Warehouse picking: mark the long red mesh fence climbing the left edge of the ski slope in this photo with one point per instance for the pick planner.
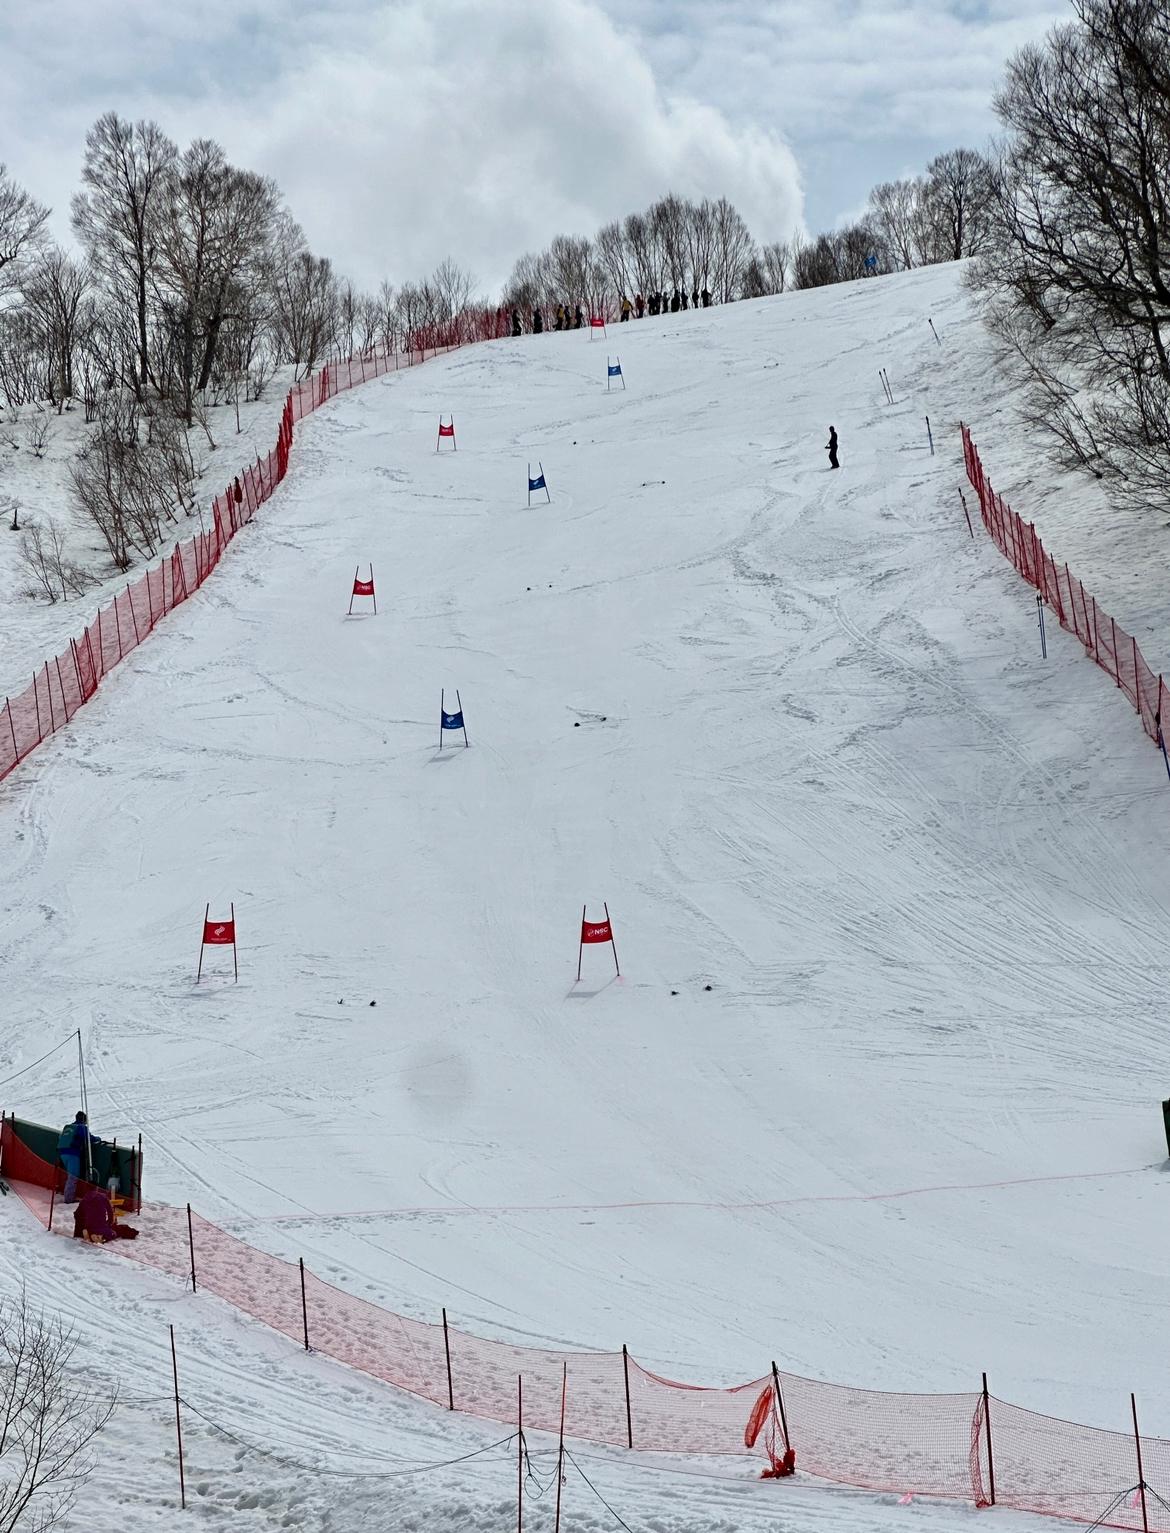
(68, 681)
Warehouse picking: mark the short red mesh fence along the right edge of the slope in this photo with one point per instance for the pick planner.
(1114, 651)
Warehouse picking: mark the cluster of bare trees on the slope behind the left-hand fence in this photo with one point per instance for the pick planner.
(192, 283)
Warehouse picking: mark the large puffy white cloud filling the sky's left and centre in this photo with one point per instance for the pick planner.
(401, 131)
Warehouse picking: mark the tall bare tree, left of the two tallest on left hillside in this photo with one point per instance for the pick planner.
(117, 218)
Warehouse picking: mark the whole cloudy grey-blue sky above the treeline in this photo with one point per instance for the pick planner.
(406, 131)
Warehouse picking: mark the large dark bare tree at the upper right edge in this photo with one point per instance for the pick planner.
(1079, 271)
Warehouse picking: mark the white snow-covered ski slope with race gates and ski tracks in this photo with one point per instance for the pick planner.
(878, 1091)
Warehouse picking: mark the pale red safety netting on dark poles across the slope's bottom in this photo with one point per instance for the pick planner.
(965, 1446)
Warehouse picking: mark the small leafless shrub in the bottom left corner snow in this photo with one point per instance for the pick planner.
(50, 1419)
